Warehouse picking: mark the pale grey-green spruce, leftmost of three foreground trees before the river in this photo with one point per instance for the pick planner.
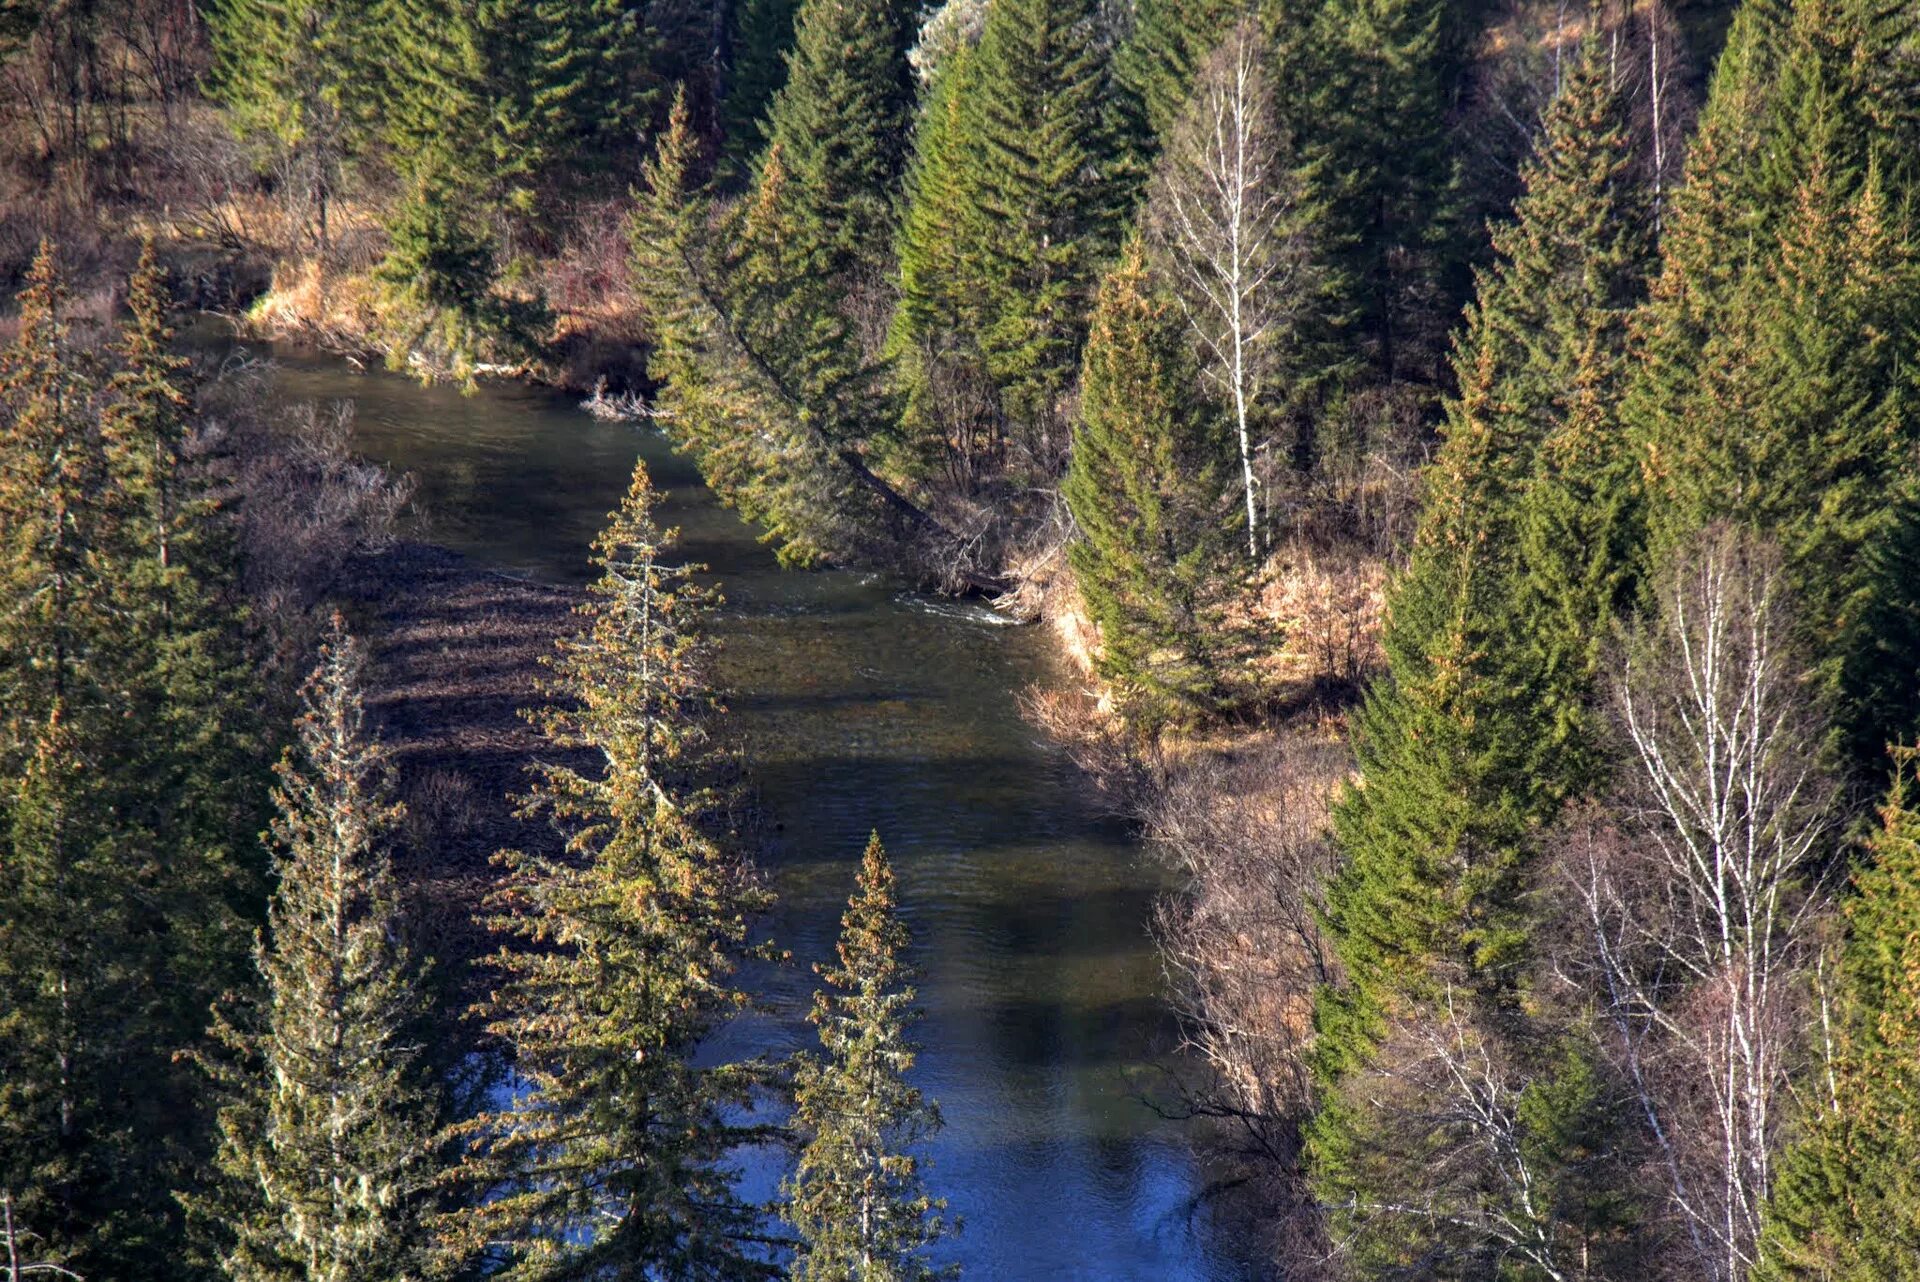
(329, 1139)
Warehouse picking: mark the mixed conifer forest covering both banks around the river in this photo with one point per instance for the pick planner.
(1466, 456)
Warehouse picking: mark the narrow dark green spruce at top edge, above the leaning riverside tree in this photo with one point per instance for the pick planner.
(840, 128)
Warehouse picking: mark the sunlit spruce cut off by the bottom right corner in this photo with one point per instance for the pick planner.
(1846, 1206)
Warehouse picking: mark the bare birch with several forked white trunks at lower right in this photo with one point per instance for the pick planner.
(1696, 890)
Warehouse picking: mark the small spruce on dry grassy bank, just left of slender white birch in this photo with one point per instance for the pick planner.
(1155, 559)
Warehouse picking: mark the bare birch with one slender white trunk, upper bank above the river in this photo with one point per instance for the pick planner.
(1226, 212)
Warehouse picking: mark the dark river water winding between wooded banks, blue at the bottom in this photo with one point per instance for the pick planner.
(869, 707)
